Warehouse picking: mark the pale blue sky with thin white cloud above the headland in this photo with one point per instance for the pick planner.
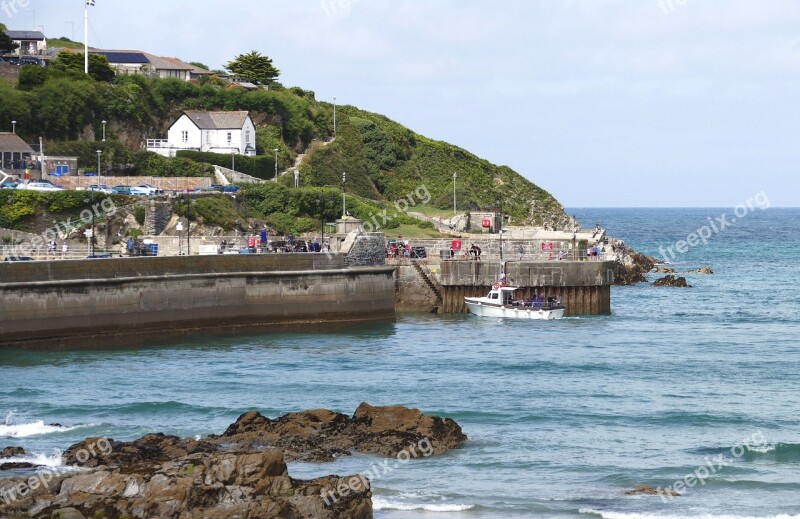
(604, 103)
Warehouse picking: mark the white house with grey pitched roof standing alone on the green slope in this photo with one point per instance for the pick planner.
(216, 132)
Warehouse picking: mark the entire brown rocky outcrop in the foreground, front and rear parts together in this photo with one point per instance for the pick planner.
(241, 473)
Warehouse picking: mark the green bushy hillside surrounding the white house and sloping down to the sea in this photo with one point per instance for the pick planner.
(383, 160)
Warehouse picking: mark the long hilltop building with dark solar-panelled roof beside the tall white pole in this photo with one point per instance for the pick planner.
(135, 62)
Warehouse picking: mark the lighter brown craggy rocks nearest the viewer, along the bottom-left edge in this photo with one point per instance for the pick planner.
(200, 485)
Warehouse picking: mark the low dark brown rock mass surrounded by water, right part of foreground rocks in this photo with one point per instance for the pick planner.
(322, 435)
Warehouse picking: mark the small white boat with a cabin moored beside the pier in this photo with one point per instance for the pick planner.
(501, 303)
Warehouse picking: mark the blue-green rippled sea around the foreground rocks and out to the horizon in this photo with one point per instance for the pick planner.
(690, 389)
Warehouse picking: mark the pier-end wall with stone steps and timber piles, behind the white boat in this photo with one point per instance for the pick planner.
(584, 286)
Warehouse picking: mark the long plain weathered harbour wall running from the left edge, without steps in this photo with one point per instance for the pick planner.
(133, 301)
